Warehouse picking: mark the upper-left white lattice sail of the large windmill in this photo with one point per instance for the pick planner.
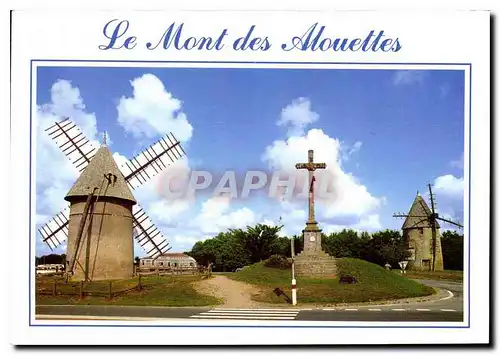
(72, 142)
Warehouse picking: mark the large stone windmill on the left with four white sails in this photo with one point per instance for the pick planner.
(103, 216)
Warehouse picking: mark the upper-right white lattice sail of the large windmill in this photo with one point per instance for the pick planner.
(152, 161)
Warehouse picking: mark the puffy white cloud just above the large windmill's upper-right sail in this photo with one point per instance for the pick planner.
(152, 110)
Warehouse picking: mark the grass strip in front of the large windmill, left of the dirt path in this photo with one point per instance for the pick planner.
(156, 291)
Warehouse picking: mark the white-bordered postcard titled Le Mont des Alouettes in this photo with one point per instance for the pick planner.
(250, 177)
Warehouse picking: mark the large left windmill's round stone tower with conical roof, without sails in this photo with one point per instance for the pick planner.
(100, 239)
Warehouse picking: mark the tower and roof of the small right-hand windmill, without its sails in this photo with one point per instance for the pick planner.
(417, 231)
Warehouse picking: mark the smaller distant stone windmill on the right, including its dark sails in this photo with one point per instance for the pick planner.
(421, 231)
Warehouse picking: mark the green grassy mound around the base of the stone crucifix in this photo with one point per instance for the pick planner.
(374, 283)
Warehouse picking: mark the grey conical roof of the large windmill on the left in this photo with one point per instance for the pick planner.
(95, 174)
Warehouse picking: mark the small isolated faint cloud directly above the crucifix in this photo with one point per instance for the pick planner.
(297, 116)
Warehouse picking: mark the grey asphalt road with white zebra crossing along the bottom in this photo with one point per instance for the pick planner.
(448, 308)
